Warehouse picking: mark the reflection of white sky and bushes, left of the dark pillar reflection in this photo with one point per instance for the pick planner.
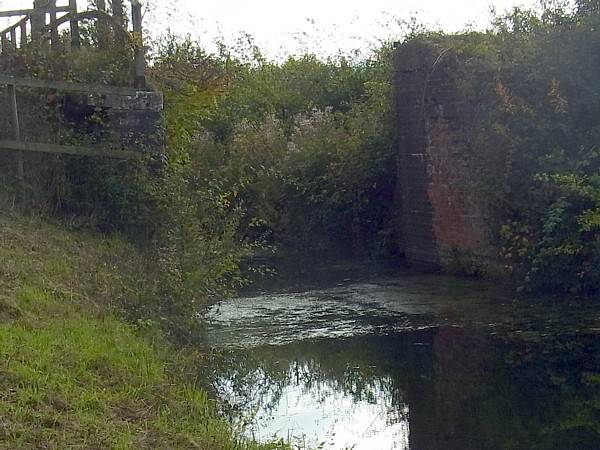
(333, 393)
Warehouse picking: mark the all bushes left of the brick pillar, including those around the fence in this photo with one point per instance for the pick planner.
(260, 156)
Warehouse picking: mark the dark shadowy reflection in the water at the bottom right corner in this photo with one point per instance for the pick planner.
(520, 391)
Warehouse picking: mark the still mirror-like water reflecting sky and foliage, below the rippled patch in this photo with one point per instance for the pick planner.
(444, 388)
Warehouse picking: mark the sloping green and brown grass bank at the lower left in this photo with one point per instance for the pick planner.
(72, 373)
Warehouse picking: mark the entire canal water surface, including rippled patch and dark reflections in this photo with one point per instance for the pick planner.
(409, 362)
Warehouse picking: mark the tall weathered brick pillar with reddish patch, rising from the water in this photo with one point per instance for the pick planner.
(441, 221)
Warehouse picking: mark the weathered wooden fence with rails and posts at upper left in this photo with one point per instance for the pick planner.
(42, 24)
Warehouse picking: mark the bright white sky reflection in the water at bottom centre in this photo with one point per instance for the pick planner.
(323, 413)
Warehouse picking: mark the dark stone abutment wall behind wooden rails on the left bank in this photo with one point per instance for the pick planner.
(132, 122)
